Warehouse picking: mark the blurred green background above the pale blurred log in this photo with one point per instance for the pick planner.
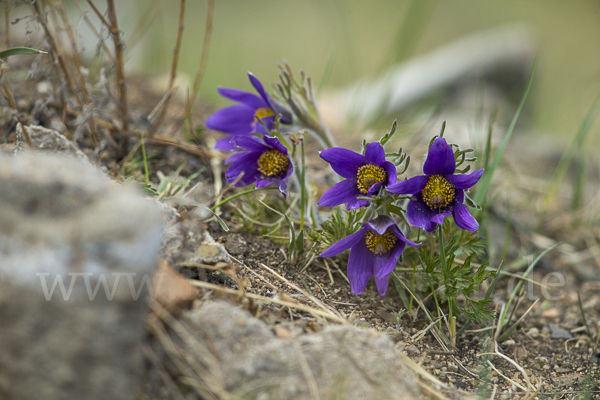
(357, 38)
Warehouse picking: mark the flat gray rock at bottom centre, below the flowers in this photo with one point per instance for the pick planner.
(243, 357)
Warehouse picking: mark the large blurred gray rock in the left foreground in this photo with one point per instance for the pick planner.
(75, 252)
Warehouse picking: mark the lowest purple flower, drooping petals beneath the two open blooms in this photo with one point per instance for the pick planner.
(374, 250)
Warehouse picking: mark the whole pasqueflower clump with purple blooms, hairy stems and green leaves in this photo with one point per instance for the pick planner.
(417, 230)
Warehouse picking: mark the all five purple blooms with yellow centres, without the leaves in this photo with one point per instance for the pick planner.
(370, 180)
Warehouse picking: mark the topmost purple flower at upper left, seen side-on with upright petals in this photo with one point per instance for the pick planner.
(243, 118)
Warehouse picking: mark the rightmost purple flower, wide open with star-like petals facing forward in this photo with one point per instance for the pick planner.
(439, 193)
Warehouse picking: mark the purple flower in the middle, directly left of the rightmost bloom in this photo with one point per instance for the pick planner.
(364, 175)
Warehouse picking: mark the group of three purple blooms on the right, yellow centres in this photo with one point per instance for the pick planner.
(435, 195)
